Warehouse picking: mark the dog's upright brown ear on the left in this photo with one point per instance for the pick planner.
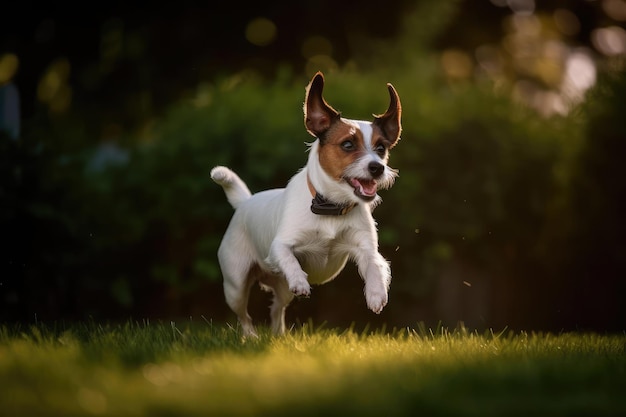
(318, 115)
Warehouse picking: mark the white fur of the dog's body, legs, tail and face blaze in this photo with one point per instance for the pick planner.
(275, 239)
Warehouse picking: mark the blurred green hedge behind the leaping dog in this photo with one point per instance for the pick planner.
(133, 225)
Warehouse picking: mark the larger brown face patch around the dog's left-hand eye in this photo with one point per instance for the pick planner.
(342, 145)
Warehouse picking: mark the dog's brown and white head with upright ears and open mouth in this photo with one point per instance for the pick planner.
(352, 153)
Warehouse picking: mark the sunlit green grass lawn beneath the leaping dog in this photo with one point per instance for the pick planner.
(201, 369)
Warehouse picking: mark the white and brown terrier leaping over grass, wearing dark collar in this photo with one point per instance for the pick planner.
(290, 238)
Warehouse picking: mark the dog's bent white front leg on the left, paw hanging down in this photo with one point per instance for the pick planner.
(282, 260)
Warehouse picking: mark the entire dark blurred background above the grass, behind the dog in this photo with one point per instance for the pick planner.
(509, 208)
